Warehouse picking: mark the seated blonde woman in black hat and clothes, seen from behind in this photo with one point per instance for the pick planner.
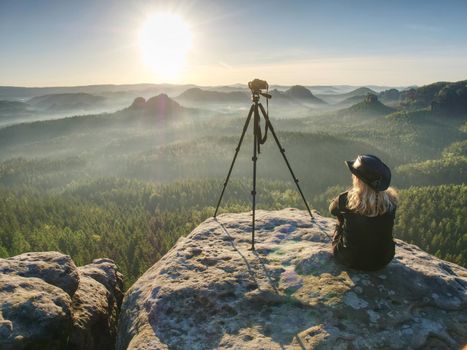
(363, 238)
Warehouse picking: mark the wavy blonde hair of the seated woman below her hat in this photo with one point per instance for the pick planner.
(364, 200)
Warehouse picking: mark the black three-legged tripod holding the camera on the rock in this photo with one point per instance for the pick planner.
(258, 140)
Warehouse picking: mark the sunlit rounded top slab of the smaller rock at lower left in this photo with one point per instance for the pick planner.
(52, 267)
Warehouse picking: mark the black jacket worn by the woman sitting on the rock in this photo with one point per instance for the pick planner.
(362, 242)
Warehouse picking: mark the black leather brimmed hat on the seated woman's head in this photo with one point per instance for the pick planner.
(371, 170)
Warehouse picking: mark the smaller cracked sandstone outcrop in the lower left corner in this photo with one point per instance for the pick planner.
(46, 302)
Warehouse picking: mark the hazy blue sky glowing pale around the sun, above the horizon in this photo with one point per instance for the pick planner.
(390, 43)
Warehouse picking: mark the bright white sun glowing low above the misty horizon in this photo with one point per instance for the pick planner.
(165, 40)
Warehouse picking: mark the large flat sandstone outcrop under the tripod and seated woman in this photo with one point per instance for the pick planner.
(210, 291)
